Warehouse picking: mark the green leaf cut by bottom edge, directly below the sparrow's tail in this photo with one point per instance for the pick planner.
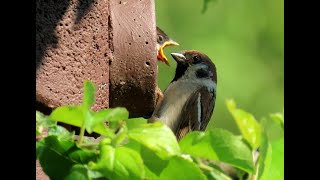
(180, 168)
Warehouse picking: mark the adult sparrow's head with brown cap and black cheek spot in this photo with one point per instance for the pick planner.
(194, 65)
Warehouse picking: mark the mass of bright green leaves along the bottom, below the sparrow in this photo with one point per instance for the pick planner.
(134, 149)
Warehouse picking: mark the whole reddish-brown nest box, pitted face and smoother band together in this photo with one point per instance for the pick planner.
(112, 43)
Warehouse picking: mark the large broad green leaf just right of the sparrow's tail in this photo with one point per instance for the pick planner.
(218, 144)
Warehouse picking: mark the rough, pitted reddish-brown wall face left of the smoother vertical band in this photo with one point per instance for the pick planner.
(72, 45)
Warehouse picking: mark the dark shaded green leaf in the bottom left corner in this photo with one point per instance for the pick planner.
(53, 160)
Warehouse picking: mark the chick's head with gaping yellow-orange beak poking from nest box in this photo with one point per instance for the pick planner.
(163, 40)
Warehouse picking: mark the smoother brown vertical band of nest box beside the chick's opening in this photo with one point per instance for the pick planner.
(133, 71)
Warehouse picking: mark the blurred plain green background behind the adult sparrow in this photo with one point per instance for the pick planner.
(244, 39)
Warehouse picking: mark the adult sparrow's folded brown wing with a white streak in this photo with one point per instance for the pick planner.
(197, 112)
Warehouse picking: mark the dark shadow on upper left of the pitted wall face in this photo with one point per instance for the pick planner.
(48, 14)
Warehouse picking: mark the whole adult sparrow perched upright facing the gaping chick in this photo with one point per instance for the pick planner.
(189, 99)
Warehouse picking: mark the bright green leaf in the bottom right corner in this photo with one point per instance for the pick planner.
(274, 161)
